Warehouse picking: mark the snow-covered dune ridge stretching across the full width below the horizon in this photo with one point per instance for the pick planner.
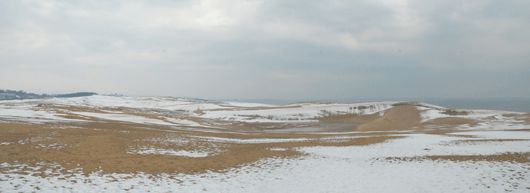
(113, 107)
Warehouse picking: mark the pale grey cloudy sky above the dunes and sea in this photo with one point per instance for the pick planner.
(274, 49)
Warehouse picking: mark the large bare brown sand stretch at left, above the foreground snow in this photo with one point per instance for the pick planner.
(105, 146)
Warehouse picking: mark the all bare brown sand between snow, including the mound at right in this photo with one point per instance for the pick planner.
(108, 146)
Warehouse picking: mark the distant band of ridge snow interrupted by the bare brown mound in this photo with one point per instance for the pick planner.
(228, 111)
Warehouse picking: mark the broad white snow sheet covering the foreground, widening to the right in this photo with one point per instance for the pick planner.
(324, 169)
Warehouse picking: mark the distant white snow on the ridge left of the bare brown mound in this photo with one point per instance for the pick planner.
(237, 111)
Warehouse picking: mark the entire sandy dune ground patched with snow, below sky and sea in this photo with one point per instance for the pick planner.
(103, 143)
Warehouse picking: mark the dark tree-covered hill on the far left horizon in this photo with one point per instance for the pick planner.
(17, 95)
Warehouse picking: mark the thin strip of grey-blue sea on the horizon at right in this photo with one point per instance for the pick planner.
(507, 104)
